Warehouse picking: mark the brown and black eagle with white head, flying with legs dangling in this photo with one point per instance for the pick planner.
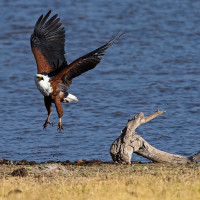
(54, 75)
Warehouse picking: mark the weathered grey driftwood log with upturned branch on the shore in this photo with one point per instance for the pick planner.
(129, 142)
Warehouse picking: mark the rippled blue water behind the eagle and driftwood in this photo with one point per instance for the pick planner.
(155, 65)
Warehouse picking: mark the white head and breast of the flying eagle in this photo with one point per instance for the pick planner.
(43, 84)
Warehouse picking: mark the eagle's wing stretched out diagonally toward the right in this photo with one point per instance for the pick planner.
(83, 64)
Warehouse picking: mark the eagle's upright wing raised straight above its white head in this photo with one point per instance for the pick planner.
(48, 43)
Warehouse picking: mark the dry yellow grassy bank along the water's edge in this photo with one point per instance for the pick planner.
(138, 181)
